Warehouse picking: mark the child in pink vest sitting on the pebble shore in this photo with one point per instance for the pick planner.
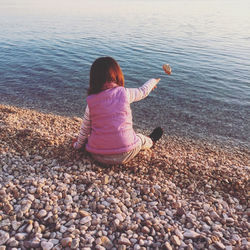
(107, 128)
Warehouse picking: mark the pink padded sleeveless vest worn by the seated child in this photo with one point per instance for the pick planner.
(111, 122)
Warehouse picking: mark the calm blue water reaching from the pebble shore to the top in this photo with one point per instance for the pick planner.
(46, 50)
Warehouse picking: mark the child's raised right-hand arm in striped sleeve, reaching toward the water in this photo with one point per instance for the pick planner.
(136, 94)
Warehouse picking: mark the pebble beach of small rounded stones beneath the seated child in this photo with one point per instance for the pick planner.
(182, 194)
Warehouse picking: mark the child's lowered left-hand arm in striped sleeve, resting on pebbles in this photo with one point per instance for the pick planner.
(84, 131)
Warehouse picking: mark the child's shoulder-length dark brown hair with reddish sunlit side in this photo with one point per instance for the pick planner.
(104, 69)
